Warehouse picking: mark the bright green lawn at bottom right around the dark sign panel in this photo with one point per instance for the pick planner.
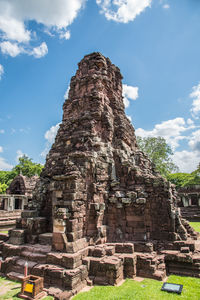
(148, 289)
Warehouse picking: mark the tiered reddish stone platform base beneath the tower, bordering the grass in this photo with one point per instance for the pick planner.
(65, 274)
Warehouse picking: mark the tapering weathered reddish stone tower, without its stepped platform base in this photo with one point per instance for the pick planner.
(97, 186)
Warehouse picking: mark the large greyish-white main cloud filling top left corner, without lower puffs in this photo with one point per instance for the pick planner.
(56, 15)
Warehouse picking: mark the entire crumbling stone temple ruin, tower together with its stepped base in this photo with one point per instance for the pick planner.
(100, 207)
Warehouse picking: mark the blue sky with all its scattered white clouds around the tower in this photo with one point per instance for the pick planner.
(155, 43)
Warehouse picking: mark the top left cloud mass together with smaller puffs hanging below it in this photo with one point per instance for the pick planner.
(55, 16)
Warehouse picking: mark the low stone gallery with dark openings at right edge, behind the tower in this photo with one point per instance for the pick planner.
(190, 202)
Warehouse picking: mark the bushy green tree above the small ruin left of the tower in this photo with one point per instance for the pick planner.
(27, 168)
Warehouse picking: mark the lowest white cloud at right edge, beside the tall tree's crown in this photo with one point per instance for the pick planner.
(187, 161)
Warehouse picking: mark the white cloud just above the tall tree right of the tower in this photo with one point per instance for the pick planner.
(171, 130)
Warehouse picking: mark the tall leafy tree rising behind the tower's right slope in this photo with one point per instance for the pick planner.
(159, 153)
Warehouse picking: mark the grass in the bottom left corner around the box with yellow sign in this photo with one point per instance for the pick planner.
(14, 289)
